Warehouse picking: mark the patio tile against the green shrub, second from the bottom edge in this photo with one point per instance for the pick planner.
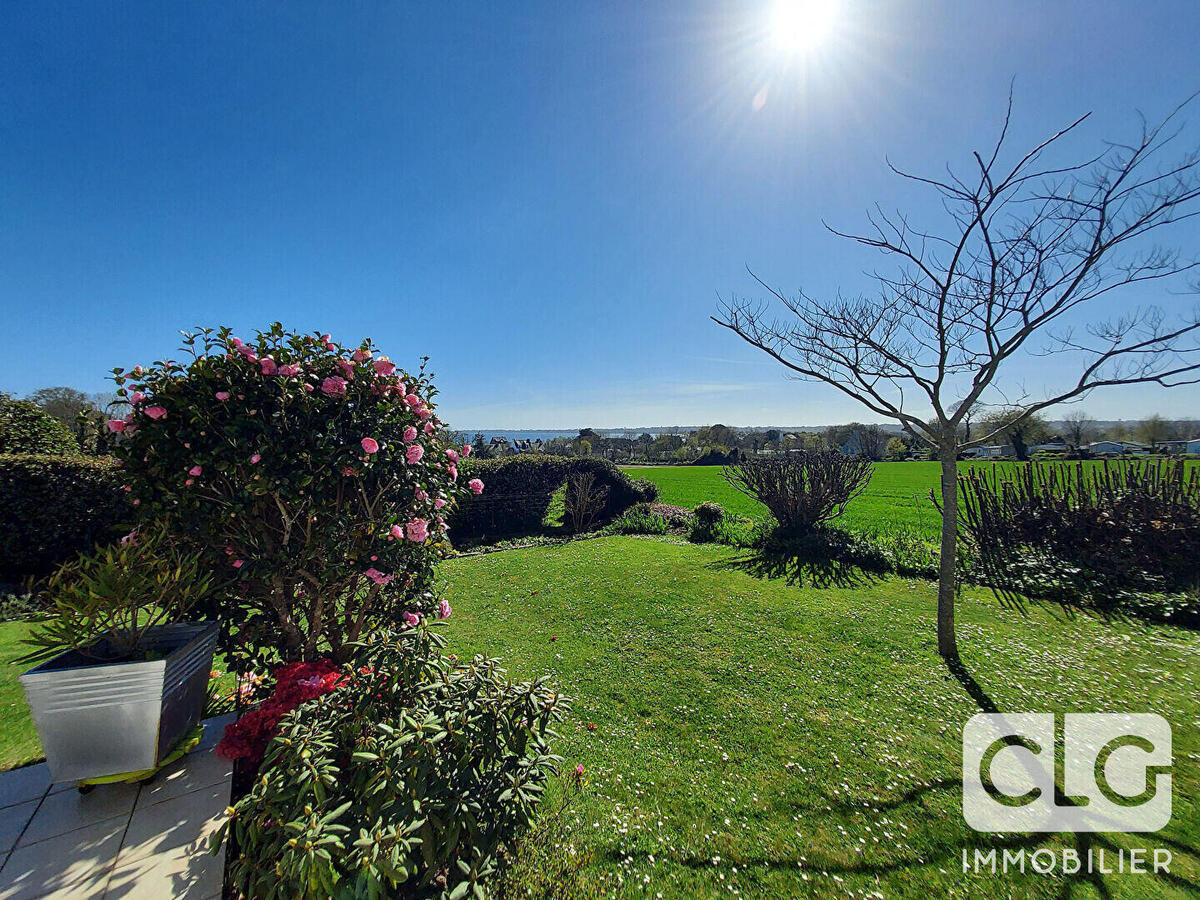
(182, 823)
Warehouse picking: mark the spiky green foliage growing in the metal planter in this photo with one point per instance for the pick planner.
(119, 593)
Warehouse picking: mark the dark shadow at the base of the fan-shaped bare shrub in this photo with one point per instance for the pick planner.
(826, 559)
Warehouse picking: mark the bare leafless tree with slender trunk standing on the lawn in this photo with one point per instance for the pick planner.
(1028, 248)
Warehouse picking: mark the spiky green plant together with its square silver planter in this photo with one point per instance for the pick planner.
(124, 679)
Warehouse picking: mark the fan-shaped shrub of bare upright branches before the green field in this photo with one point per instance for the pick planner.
(803, 490)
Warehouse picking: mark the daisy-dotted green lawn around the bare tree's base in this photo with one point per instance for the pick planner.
(759, 740)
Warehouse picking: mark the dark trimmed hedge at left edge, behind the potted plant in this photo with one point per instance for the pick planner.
(55, 507)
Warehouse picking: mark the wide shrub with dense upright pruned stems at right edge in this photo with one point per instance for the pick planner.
(1103, 536)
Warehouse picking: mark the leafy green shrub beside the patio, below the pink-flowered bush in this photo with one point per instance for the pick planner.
(410, 779)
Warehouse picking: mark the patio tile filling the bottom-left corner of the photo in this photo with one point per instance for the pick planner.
(76, 865)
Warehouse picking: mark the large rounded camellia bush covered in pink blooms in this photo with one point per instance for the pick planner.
(315, 479)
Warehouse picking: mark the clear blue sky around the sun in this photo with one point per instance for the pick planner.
(544, 199)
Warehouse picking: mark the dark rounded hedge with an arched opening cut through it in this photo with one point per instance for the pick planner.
(519, 490)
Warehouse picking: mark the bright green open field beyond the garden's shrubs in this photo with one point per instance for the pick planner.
(897, 497)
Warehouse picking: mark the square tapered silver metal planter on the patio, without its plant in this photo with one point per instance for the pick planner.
(101, 719)
